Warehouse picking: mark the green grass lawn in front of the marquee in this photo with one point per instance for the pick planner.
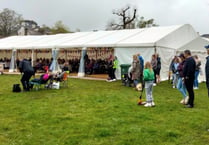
(92, 112)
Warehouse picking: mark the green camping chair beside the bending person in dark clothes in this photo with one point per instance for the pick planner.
(37, 83)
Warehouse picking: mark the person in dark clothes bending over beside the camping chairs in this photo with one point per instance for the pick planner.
(27, 70)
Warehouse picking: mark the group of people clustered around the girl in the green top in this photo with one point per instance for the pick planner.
(147, 74)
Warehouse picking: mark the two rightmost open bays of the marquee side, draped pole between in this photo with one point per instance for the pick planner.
(94, 59)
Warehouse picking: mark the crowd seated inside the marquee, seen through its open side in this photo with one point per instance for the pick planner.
(92, 66)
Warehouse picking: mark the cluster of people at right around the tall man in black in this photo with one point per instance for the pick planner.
(185, 72)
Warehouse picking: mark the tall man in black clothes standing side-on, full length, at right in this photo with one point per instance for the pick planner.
(189, 75)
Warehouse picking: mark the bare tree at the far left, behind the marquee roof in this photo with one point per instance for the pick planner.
(9, 22)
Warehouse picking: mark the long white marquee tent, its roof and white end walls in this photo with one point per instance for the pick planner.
(163, 40)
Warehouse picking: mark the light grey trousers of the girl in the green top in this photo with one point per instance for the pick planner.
(148, 91)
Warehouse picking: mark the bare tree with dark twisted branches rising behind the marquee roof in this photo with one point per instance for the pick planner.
(126, 19)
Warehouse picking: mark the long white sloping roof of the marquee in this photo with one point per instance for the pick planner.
(168, 37)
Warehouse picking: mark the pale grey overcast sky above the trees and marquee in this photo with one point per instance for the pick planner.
(88, 15)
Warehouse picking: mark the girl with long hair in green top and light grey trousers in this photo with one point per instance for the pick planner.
(149, 78)
